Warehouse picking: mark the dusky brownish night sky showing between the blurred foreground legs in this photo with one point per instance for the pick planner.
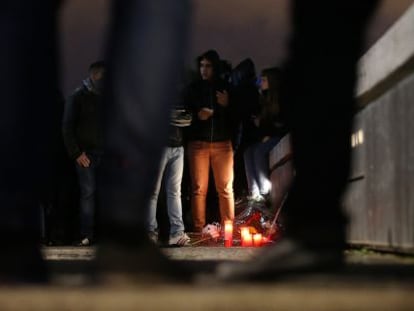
(235, 28)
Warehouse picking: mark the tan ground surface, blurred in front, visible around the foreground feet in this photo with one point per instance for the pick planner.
(371, 281)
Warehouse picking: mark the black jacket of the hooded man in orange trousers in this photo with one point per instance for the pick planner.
(202, 94)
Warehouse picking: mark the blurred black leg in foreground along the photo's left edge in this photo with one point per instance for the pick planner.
(28, 84)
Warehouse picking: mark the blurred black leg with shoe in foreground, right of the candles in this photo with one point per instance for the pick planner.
(317, 100)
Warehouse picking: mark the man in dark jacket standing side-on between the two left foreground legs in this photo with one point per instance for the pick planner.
(83, 135)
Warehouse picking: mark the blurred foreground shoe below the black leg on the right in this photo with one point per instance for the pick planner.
(287, 257)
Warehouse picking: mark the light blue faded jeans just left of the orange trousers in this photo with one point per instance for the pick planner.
(171, 168)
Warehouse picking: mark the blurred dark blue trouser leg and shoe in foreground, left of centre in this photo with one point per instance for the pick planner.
(146, 51)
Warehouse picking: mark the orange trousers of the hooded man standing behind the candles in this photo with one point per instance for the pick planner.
(220, 156)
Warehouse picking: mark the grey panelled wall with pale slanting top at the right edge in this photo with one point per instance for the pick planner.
(380, 197)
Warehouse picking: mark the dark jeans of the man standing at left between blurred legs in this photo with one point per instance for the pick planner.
(87, 185)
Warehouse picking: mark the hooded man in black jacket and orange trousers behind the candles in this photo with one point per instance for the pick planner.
(210, 140)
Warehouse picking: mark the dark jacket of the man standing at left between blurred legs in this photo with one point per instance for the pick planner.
(82, 126)
